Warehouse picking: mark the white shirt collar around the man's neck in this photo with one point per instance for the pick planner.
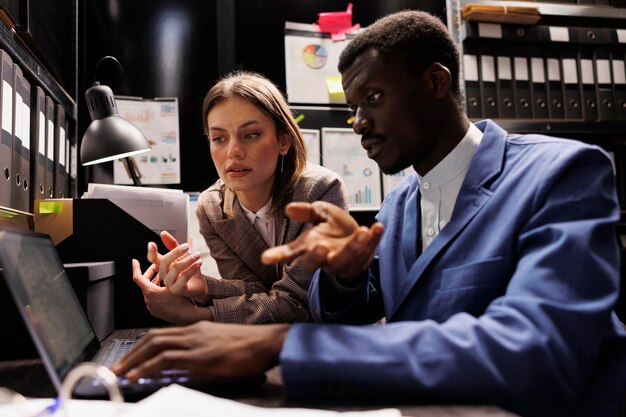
(456, 162)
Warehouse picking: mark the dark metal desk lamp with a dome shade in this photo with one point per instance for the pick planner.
(110, 136)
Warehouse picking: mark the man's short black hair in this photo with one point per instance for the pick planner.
(417, 37)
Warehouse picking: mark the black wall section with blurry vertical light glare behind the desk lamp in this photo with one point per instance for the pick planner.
(167, 48)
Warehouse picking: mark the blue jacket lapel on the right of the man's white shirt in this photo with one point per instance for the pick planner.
(486, 164)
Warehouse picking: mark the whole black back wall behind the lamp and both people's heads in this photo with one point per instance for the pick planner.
(180, 47)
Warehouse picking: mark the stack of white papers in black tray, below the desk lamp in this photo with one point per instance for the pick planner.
(157, 208)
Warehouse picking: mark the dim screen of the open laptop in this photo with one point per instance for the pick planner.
(41, 289)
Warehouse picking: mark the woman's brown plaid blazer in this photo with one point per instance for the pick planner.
(250, 292)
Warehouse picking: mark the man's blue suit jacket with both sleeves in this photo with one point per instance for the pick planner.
(511, 304)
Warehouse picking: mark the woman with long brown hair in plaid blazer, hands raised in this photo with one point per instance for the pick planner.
(260, 156)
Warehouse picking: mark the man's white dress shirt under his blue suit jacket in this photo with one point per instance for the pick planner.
(440, 187)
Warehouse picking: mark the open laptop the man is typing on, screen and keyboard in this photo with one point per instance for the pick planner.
(62, 333)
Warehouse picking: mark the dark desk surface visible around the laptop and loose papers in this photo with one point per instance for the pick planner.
(29, 378)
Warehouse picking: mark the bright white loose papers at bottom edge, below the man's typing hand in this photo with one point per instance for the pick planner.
(176, 400)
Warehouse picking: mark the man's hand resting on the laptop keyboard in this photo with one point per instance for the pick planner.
(205, 348)
